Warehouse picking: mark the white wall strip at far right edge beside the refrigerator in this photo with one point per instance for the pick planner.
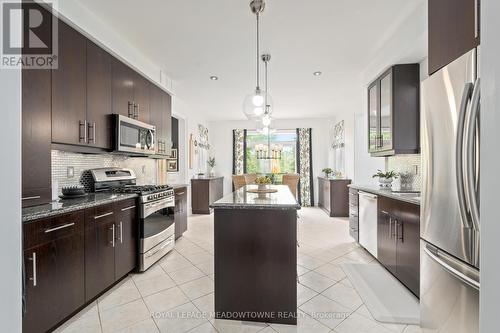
(490, 181)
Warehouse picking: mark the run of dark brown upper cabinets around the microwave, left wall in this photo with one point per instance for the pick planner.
(71, 107)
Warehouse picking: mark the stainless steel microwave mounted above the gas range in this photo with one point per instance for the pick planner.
(133, 136)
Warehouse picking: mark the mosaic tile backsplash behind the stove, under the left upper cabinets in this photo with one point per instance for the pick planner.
(144, 168)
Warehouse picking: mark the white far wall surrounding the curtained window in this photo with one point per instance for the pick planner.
(221, 138)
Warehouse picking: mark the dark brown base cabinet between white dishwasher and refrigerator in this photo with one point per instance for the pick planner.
(398, 240)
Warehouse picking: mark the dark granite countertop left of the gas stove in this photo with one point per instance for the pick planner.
(69, 205)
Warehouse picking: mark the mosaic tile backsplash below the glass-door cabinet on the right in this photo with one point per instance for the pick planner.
(408, 166)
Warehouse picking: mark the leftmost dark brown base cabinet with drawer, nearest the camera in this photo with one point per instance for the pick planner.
(54, 270)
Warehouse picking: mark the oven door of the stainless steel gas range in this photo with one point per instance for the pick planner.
(157, 224)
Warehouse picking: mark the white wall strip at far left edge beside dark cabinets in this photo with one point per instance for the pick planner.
(10, 199)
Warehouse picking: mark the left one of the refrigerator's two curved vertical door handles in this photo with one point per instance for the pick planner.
(459, 158)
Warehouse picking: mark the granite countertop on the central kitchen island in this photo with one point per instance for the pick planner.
(241, 199)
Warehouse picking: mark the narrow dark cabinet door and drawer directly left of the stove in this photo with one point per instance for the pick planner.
(126, 238)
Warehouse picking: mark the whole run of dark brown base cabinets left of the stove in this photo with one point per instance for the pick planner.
(72, 258)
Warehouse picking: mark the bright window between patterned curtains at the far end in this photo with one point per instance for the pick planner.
(287, 139)
